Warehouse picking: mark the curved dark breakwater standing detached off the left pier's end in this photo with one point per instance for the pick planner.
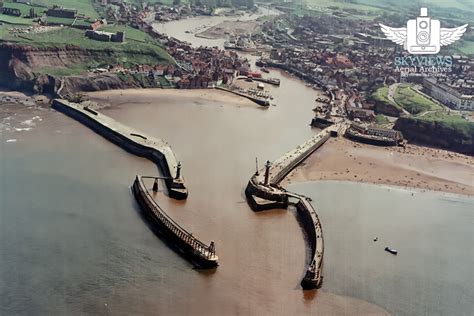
(201, 255)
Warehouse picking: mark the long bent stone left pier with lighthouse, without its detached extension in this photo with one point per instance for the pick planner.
(155, 149)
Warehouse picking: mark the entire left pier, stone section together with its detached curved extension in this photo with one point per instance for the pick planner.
(157, 150)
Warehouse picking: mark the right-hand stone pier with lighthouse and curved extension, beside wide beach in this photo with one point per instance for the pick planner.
(264, 192)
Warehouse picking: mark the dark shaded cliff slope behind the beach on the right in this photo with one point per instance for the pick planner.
(455, 137)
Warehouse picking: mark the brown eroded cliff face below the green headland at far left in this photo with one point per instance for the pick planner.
(18, 64)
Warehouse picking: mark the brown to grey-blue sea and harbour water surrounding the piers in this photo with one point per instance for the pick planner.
(72, 240)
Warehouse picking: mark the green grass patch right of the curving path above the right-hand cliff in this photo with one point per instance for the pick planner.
(412, 101)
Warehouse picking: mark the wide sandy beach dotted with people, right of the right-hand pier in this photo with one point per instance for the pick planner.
(417, 167)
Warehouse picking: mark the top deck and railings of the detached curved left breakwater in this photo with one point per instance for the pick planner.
(205, 250)
